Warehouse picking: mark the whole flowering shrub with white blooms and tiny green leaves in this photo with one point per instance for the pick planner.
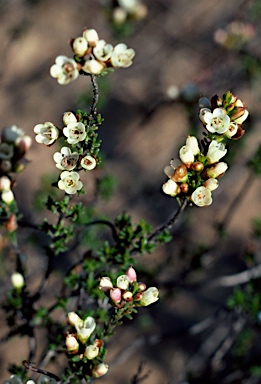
(103, 280)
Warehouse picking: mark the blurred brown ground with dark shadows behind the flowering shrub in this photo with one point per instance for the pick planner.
(174, 46)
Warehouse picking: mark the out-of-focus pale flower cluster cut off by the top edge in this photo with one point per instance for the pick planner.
(124, 10)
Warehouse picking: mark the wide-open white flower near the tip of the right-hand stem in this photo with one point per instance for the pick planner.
(217, 121)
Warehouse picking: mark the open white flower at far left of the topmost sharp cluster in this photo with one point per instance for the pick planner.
(64, 70)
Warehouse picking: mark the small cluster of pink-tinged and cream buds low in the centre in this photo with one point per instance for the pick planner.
(128, 290)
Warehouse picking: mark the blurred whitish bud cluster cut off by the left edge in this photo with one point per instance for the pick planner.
(14, 144)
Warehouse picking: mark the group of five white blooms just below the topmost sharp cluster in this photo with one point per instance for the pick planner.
(69, 160)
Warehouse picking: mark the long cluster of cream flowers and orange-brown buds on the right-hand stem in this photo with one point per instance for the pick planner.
(195, 175)
